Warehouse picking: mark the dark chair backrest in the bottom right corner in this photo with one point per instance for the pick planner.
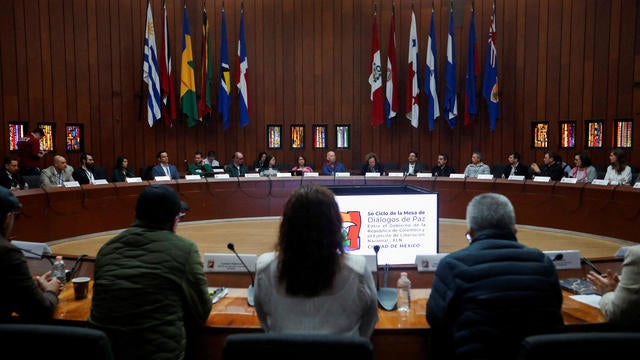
(577, 345)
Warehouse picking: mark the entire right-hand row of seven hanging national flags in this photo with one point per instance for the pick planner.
(385, 112)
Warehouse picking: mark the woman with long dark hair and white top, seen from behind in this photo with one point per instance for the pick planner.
(310, 284)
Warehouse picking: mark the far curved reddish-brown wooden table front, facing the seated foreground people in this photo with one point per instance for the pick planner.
(60, 213)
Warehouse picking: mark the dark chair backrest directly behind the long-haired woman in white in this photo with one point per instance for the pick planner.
(296, 346)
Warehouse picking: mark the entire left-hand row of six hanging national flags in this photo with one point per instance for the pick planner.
(159, 77)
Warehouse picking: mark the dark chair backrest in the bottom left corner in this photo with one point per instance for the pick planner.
(38, 341)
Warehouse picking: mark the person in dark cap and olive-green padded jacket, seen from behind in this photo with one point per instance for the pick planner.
(150, 287)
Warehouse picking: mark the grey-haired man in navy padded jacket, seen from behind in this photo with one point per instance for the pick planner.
(487, 297)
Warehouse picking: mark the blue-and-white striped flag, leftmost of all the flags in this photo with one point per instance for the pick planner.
(150, 74)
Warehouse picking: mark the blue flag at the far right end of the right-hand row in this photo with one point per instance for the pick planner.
(490, 83)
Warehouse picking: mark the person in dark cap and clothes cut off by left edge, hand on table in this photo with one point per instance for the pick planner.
(22, 295)
